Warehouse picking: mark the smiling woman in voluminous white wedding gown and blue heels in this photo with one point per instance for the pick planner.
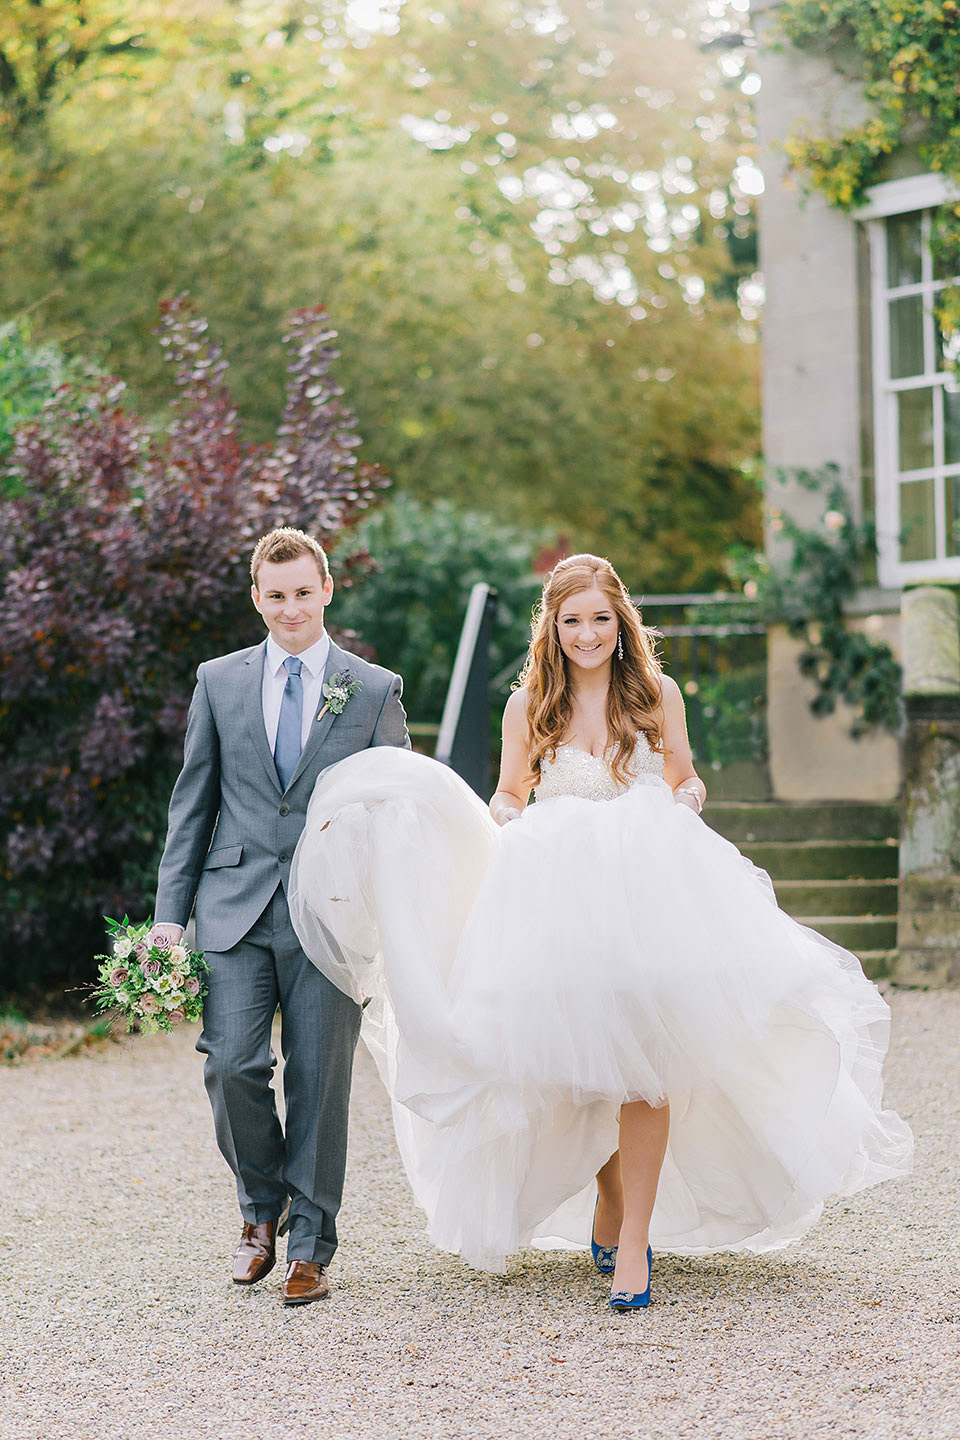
(591, 1016)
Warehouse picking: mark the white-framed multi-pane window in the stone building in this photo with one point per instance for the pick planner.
(916, 391)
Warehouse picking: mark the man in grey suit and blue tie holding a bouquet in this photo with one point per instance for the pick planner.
(260, 732)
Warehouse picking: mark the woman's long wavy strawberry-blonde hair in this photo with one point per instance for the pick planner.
(634, 699)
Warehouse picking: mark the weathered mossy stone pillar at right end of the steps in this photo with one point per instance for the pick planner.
(929, 924)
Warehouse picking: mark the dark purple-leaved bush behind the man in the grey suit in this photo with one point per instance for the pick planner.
(124, 565)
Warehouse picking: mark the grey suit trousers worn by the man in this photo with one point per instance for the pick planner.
(304, 1160)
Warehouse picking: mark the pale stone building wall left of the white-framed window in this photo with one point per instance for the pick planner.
(815, 354)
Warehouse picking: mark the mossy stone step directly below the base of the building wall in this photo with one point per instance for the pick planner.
(743, 822)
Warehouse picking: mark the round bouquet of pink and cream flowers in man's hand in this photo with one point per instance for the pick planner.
(149, 981)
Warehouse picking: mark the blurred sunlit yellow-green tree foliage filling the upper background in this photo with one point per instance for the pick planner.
(523, 221)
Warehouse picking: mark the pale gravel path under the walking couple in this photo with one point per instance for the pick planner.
(119, 1318)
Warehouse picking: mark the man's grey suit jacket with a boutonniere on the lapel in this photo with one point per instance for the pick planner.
(232, 829)
